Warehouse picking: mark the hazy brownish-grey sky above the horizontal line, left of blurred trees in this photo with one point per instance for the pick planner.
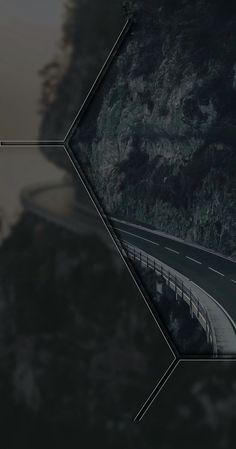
(30, 32)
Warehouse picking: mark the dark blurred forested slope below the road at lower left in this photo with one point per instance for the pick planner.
(78, 344)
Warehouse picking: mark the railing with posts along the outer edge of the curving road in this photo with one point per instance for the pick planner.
(176, 284)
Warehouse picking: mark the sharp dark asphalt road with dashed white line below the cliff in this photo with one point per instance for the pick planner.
(214, 274)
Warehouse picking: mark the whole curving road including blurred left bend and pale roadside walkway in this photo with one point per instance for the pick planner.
(211, 277)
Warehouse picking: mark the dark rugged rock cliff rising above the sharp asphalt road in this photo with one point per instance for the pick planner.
(158, 144)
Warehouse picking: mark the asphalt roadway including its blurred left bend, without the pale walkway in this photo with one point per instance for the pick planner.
(214, 274)
